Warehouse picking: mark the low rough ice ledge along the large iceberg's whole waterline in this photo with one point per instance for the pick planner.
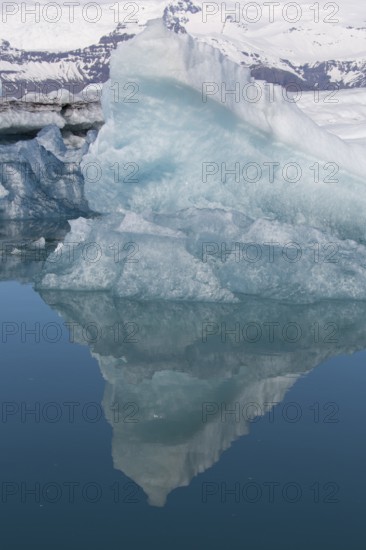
(206, 255)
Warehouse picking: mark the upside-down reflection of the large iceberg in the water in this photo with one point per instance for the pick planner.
(174, 371)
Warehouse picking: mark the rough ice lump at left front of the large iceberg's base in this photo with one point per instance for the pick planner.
(148, 265)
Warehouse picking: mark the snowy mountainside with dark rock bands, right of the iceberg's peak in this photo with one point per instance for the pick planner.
(286, 43)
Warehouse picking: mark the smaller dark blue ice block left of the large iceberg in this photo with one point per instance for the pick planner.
(41, 178)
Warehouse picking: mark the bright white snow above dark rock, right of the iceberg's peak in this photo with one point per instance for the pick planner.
(307, 40)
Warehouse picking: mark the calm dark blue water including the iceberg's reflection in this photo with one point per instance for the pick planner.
(133, 424)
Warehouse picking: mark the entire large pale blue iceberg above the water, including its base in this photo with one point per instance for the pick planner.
(187, 176)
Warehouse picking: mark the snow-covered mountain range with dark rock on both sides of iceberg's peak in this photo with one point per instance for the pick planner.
(321, 45)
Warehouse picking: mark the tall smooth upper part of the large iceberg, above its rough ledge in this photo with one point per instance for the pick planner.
(165, 147)
